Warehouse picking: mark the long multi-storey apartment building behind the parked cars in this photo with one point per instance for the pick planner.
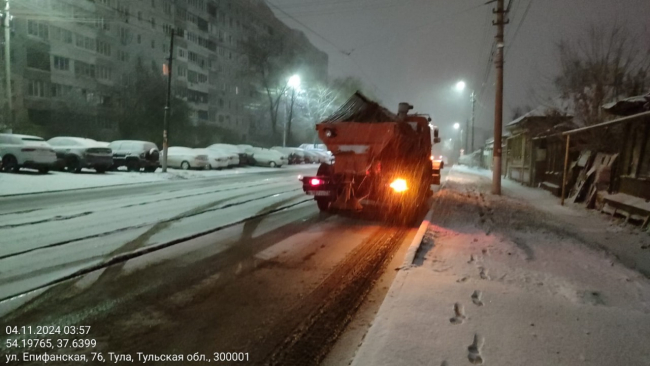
(70, 58)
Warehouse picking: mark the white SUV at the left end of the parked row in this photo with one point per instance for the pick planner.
(24, 151)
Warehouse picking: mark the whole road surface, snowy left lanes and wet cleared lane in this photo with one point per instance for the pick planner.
(241, 264)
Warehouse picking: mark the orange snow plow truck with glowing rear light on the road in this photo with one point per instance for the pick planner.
(381, 159)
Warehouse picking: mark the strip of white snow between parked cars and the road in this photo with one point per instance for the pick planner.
(28, 181)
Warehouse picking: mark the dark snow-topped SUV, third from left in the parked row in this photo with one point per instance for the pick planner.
(135, 155)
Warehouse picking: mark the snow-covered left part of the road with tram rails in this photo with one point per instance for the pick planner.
(43, 240)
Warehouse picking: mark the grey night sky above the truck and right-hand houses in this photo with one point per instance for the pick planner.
(416, 50)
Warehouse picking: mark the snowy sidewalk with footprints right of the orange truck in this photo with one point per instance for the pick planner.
(515, 280)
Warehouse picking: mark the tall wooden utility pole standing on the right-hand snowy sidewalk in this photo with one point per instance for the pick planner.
(498, 108)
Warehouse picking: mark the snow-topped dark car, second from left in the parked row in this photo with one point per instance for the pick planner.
(75, 153)
